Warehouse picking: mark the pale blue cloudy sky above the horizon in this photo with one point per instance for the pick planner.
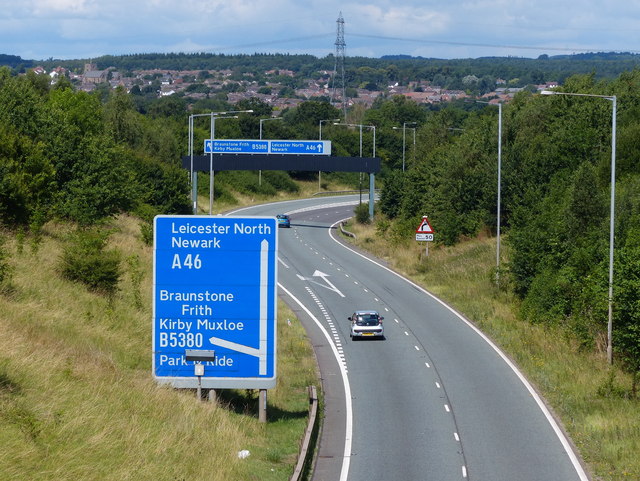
(80, 29)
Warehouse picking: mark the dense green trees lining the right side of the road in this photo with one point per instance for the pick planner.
(555, 190)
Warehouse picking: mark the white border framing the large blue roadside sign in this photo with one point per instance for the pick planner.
(208, 382)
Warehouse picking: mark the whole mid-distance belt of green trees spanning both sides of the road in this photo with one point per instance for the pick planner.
(83, 157)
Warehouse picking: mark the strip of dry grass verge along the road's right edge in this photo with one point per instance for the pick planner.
(592, 400)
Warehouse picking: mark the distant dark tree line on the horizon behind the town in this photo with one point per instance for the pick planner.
(366, 72)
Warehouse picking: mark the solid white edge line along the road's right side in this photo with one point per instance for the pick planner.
(554, 425)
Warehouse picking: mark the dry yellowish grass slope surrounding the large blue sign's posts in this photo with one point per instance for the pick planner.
(77, 397)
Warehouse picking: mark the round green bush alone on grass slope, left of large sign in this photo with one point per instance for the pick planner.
(85, 260)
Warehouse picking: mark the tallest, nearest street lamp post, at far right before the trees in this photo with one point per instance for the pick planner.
(614, 102)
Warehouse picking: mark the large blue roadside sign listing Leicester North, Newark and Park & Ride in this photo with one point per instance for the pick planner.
(215, 288)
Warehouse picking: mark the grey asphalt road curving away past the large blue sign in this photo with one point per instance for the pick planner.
(436, 400)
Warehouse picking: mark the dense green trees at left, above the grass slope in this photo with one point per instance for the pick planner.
(66, 154)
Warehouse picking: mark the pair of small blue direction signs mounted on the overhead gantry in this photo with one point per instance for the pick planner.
(294, 147)
